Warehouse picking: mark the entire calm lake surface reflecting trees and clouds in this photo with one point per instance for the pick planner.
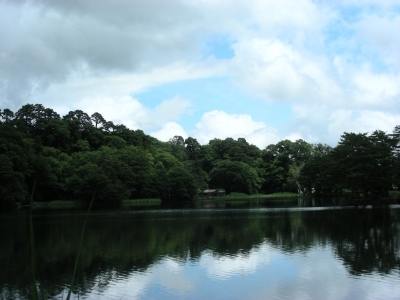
(215, 253)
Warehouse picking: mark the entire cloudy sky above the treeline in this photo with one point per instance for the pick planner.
(263, 70)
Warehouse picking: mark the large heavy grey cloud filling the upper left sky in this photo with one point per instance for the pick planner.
(46, 41)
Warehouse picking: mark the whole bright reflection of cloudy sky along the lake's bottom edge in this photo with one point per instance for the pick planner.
(312, 274)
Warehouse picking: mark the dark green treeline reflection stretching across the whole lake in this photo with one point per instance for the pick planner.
(366, 240)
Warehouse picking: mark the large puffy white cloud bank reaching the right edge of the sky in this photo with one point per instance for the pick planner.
(275, 71)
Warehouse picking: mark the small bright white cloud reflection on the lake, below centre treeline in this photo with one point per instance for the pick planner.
(225, 267)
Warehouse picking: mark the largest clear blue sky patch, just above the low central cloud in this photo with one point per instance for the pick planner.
(215, 94)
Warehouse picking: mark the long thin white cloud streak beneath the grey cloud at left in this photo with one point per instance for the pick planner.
(84, 85)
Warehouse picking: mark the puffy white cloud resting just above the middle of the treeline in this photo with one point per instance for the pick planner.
(219, 124)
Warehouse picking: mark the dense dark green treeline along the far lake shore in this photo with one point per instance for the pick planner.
(69, 157)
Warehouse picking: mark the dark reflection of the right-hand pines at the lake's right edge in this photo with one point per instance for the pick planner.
(369, 242)
